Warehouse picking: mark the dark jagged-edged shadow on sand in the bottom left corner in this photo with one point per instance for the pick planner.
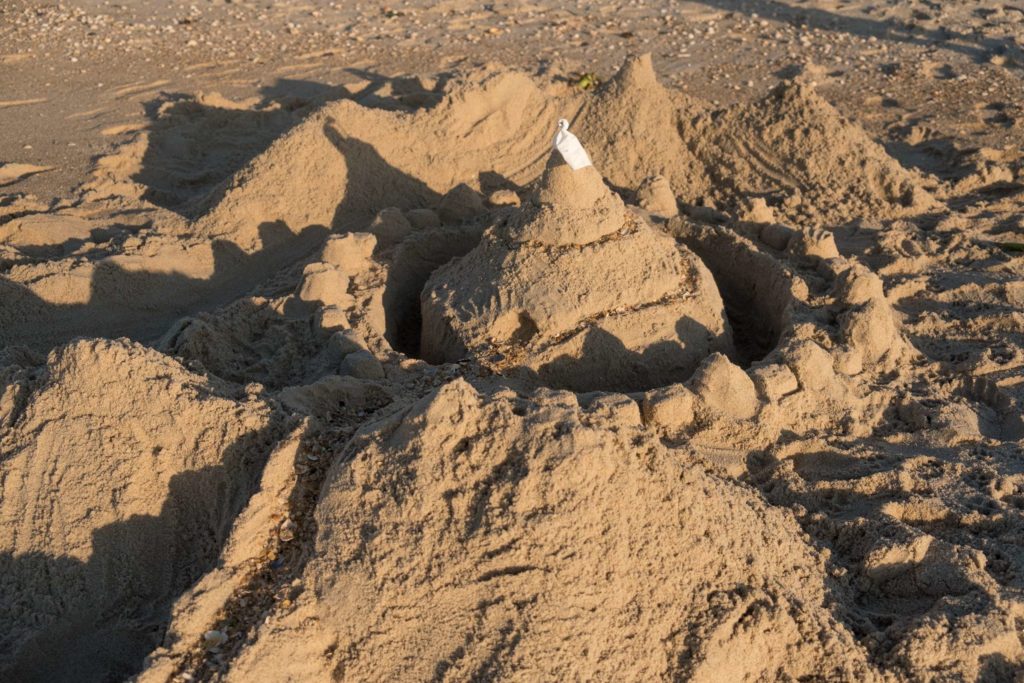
(97, 621)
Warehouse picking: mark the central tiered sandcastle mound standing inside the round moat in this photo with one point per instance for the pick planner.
(535, 295)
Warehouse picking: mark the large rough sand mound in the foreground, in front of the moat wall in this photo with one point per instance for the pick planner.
(493, 537)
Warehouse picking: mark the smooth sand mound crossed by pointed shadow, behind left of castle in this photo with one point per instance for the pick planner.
(347, 161)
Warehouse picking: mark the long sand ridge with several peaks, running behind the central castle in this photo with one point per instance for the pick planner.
(346, 163)
